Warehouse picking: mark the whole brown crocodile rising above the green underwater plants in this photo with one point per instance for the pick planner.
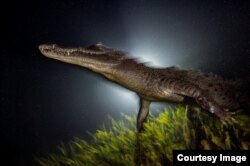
(170, 84)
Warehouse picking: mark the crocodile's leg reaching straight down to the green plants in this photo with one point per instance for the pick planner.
(142, 114)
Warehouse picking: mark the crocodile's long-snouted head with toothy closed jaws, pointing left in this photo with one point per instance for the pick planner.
(98, 57)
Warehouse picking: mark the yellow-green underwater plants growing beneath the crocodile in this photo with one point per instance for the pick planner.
(171, 129)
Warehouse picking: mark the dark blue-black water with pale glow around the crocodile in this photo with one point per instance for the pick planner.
(44, 102)
